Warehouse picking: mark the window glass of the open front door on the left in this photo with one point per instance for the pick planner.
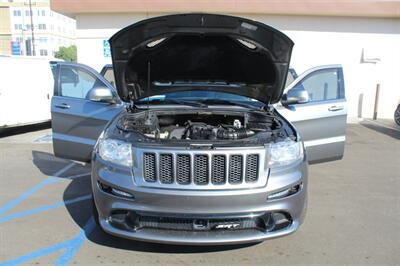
(76, 82)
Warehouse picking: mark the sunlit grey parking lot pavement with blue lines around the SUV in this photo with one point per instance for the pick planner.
(353, 215)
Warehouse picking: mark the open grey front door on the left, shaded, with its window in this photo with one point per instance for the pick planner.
(76, 121)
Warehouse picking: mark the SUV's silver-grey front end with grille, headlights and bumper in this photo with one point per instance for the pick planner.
(199, 196)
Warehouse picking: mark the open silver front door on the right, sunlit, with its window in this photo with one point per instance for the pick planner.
(322, 121)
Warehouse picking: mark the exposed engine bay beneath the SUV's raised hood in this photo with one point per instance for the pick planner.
(201, 125)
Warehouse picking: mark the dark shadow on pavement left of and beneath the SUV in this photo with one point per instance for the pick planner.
(81, 211)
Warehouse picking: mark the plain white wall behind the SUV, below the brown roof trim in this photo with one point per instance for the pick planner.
(318, 41)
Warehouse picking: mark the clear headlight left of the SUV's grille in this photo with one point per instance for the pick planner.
(115, 151)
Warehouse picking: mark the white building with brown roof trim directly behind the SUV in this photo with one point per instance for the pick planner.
(362, 36)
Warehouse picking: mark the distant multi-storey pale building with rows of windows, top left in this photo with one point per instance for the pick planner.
(51, 29)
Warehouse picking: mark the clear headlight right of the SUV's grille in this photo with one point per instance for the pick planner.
(285, 152)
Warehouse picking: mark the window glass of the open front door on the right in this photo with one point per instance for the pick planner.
(322, 85)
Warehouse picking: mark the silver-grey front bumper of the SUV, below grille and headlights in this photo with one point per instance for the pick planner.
(205, 204)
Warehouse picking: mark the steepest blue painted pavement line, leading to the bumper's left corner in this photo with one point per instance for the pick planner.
(66, 257)
